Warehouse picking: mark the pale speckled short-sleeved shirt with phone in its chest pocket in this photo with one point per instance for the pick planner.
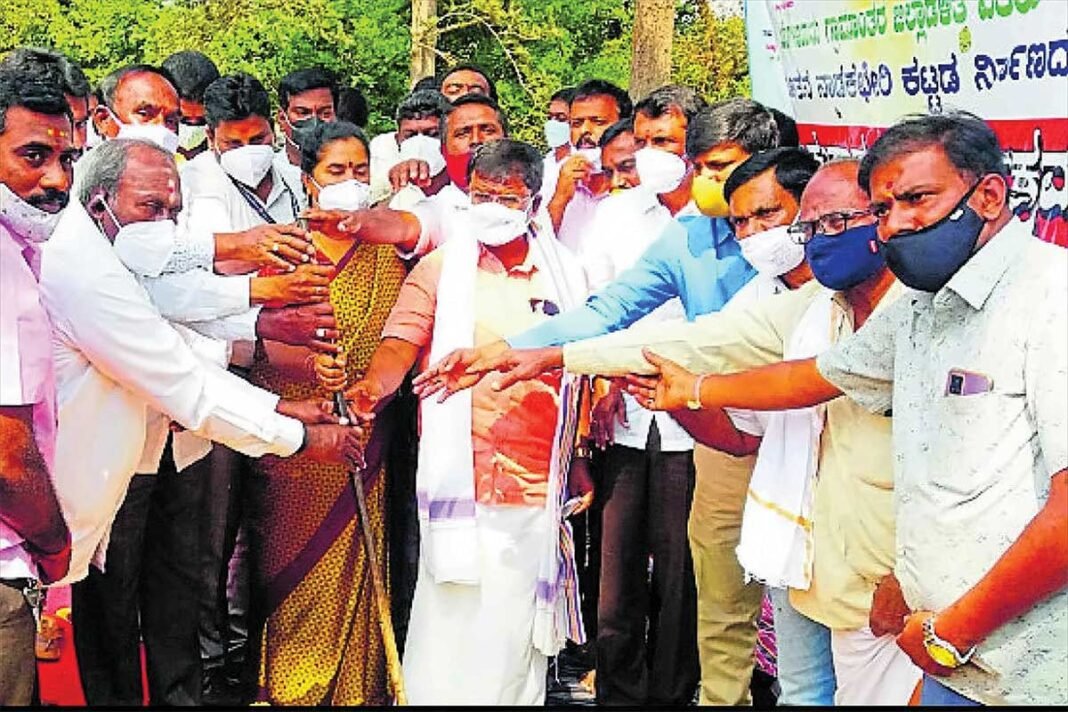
(972, 471)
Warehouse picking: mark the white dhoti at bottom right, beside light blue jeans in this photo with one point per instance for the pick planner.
(872, 671)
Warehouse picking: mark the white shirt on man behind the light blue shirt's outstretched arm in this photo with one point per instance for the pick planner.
(624, 226)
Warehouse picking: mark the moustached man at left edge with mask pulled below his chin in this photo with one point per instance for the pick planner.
(37, 154)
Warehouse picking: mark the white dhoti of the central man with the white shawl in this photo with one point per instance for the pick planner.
(474, 645)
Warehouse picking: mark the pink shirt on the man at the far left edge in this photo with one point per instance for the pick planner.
(26, 367)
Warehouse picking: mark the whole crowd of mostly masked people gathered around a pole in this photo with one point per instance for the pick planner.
(666, 395)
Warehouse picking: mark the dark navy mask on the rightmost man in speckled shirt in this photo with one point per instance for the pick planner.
(926, 260)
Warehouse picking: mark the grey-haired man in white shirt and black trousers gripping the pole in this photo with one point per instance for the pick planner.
(120, 365)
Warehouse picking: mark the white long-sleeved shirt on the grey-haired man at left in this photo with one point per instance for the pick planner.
(118, 363)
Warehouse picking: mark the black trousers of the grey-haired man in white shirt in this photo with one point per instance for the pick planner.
(150, 592)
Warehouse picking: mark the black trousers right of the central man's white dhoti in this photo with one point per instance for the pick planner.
(647, 498)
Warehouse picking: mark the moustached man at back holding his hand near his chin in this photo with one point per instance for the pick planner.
(576, 184)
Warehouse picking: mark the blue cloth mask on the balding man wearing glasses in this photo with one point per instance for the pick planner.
(843, 261)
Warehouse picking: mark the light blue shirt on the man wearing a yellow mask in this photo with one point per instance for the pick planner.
(697, 260)
